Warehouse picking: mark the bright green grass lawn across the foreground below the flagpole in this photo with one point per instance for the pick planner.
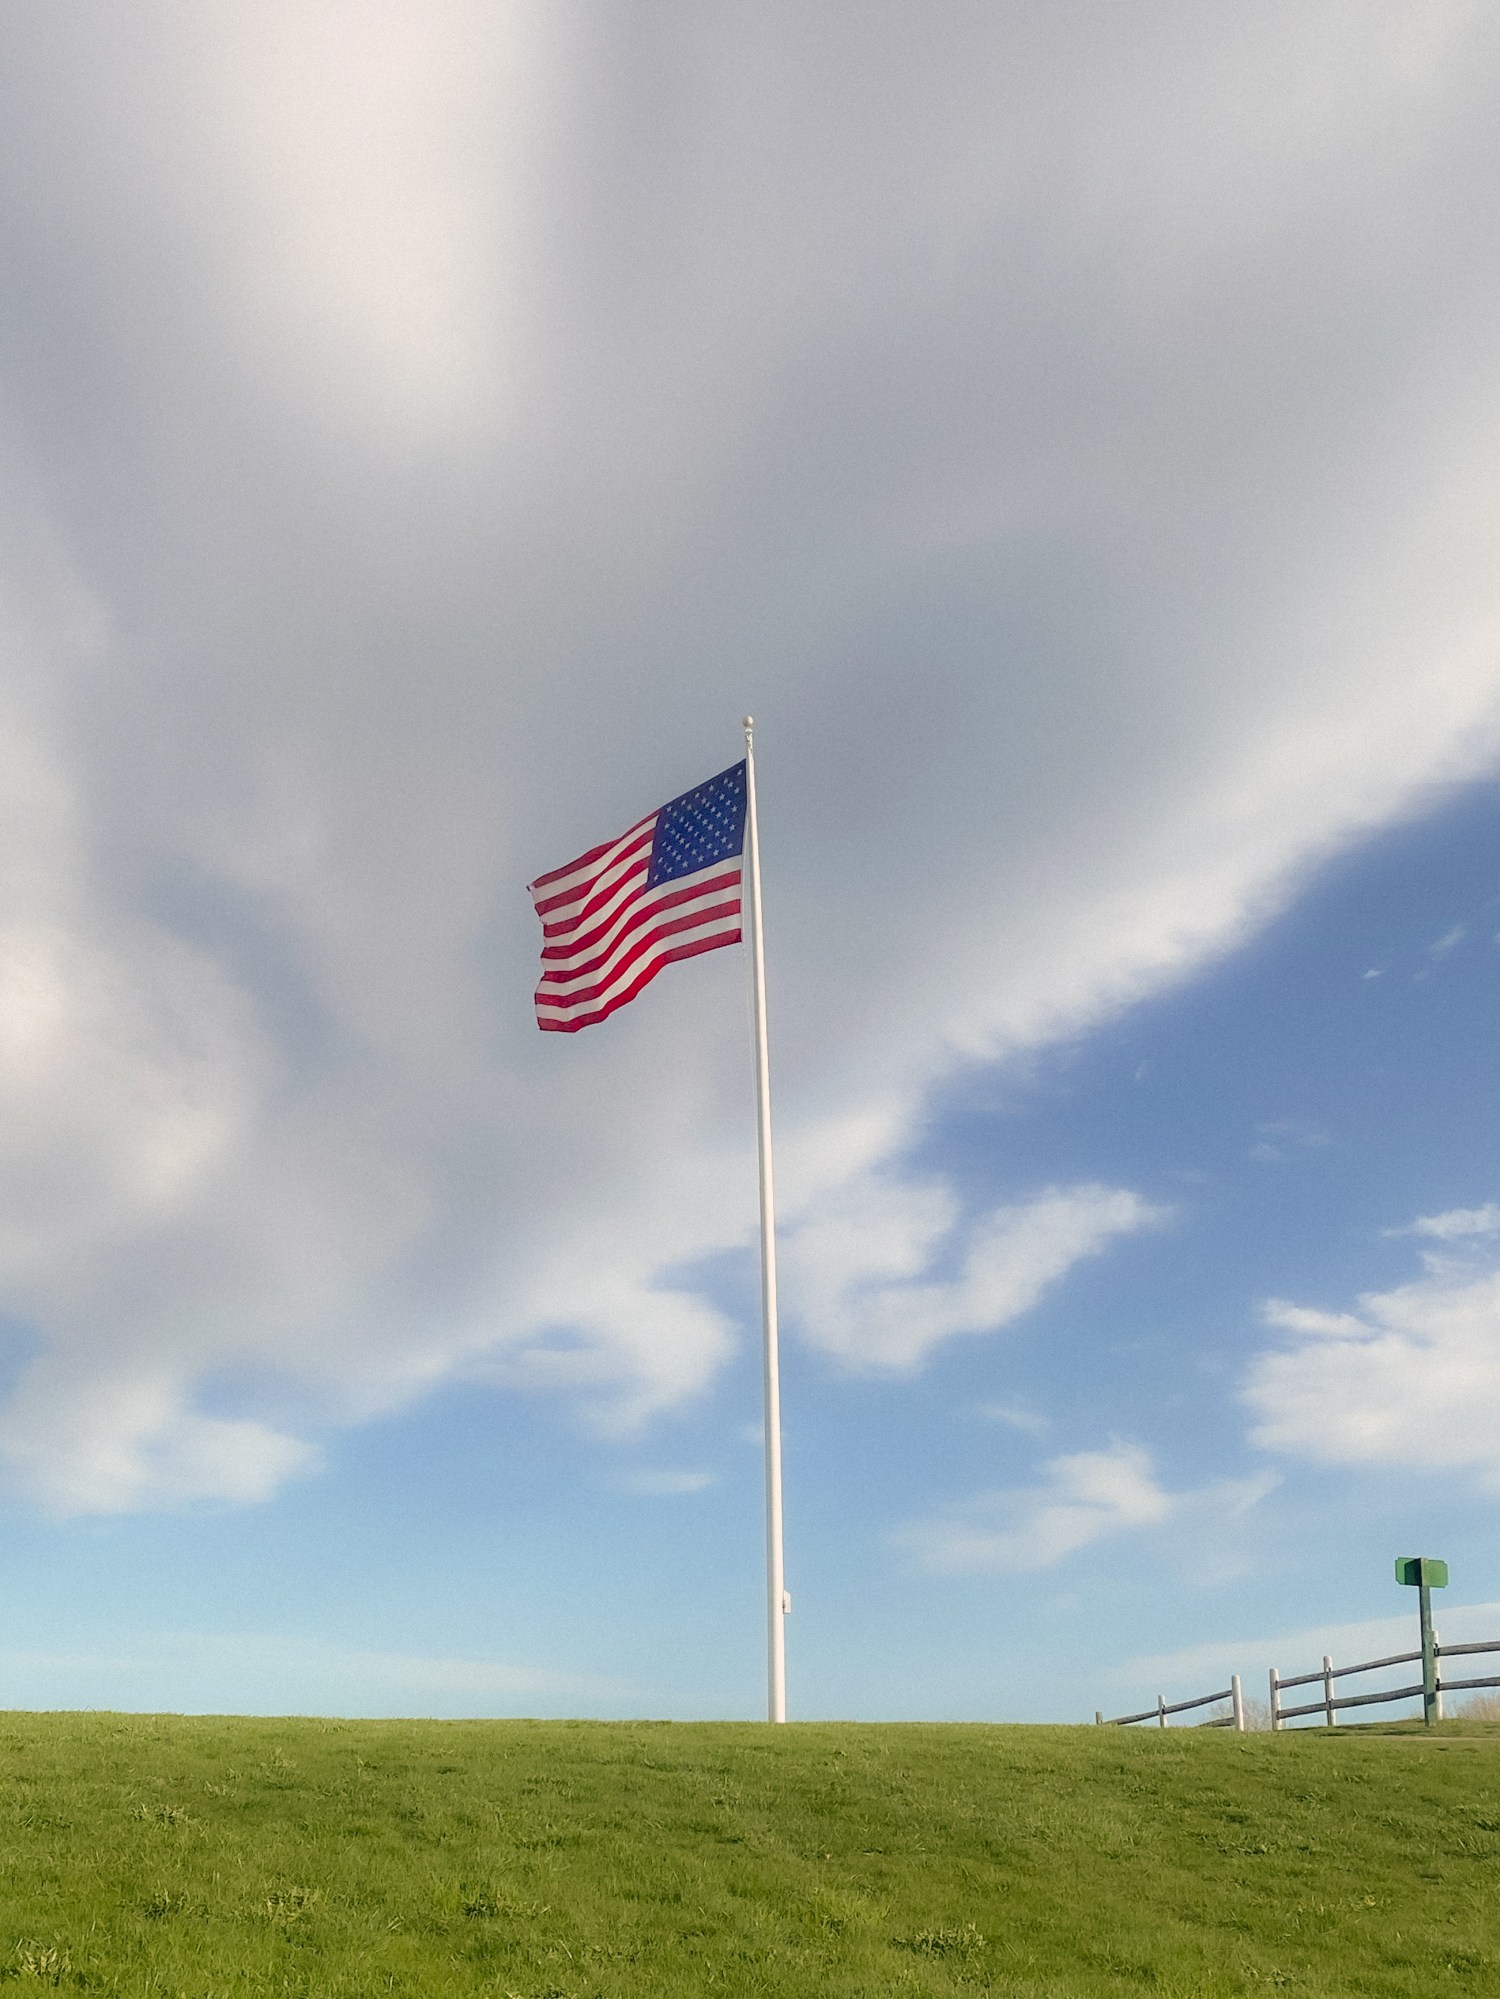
(331, 1858)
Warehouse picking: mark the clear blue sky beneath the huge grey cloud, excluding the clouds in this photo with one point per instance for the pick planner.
(489, 1554)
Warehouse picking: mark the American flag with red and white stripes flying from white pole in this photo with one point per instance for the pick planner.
(665, 891)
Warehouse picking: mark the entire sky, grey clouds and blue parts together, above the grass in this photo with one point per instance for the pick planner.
(425, 431)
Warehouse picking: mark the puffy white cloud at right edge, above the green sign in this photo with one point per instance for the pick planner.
(1411, 1378)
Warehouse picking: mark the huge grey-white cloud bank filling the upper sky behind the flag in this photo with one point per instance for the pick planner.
(459, 423)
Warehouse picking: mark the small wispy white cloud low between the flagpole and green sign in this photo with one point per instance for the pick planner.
(1083, 1498)
